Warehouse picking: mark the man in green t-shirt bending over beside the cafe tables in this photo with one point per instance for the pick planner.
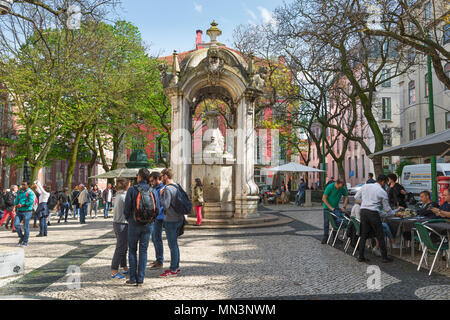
(331, 198)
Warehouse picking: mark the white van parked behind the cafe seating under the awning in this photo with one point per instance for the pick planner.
(417, 178)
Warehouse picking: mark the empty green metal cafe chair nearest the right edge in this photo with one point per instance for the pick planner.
(429, 246)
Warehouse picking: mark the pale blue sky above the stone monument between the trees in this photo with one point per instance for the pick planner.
(171, 24)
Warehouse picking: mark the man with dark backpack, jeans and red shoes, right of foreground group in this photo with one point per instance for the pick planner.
(176, 204)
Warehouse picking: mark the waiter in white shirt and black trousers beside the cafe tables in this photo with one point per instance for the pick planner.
(372, 197)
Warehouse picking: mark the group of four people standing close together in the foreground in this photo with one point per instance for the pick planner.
(131, 233)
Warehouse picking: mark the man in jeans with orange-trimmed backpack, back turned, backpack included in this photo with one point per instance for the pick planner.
(141, 209)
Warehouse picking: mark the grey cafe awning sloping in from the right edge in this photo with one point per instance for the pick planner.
(437, 144)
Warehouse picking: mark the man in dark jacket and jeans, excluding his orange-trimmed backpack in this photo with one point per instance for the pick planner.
(138, 233)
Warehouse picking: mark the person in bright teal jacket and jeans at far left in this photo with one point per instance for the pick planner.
(24, 208)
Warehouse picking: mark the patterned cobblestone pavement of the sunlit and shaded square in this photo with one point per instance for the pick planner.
(282, 262)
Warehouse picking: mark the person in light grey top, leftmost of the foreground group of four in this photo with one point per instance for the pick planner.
(120, 226)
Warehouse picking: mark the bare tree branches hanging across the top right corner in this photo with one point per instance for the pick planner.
(419, 25)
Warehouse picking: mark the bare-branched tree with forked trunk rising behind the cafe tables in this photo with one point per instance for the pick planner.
(325, 27)
